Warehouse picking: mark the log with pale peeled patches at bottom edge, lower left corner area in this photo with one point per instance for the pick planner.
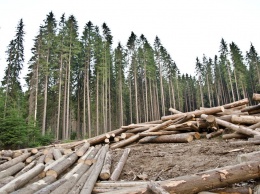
(36, 186)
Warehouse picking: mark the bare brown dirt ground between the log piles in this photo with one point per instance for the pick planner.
(169, 160)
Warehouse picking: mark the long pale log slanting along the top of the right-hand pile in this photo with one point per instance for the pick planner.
(197, 113)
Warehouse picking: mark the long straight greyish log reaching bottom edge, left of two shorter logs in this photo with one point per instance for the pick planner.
(92, 179)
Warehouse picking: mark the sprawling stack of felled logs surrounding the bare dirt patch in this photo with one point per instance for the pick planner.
(77, 166)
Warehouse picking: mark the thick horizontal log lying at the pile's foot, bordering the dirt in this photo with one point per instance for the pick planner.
(177, 138)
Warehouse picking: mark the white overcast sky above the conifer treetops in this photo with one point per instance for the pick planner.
(187, 28)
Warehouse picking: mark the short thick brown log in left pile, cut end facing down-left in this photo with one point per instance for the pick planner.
(62, 166)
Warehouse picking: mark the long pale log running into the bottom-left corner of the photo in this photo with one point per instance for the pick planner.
(20, 181)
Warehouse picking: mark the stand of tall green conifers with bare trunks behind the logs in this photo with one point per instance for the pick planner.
(81, 84)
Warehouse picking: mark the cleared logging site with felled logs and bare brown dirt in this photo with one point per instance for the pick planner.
(205, 151)
